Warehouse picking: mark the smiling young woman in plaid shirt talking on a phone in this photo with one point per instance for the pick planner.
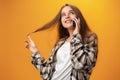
(74, 55)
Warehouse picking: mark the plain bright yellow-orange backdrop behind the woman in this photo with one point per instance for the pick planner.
(19, 17)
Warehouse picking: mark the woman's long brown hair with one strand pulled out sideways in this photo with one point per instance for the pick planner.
(84, 29)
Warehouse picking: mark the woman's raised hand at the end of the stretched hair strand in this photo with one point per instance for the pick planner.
(30, 44)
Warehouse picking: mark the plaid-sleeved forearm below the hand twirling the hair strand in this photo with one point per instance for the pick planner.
(42, 65)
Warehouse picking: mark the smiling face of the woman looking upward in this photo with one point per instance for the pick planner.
(67, 16)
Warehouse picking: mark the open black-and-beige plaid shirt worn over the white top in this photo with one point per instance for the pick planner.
(83, 58)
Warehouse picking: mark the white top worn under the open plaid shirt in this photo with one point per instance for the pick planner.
(63, 65)
